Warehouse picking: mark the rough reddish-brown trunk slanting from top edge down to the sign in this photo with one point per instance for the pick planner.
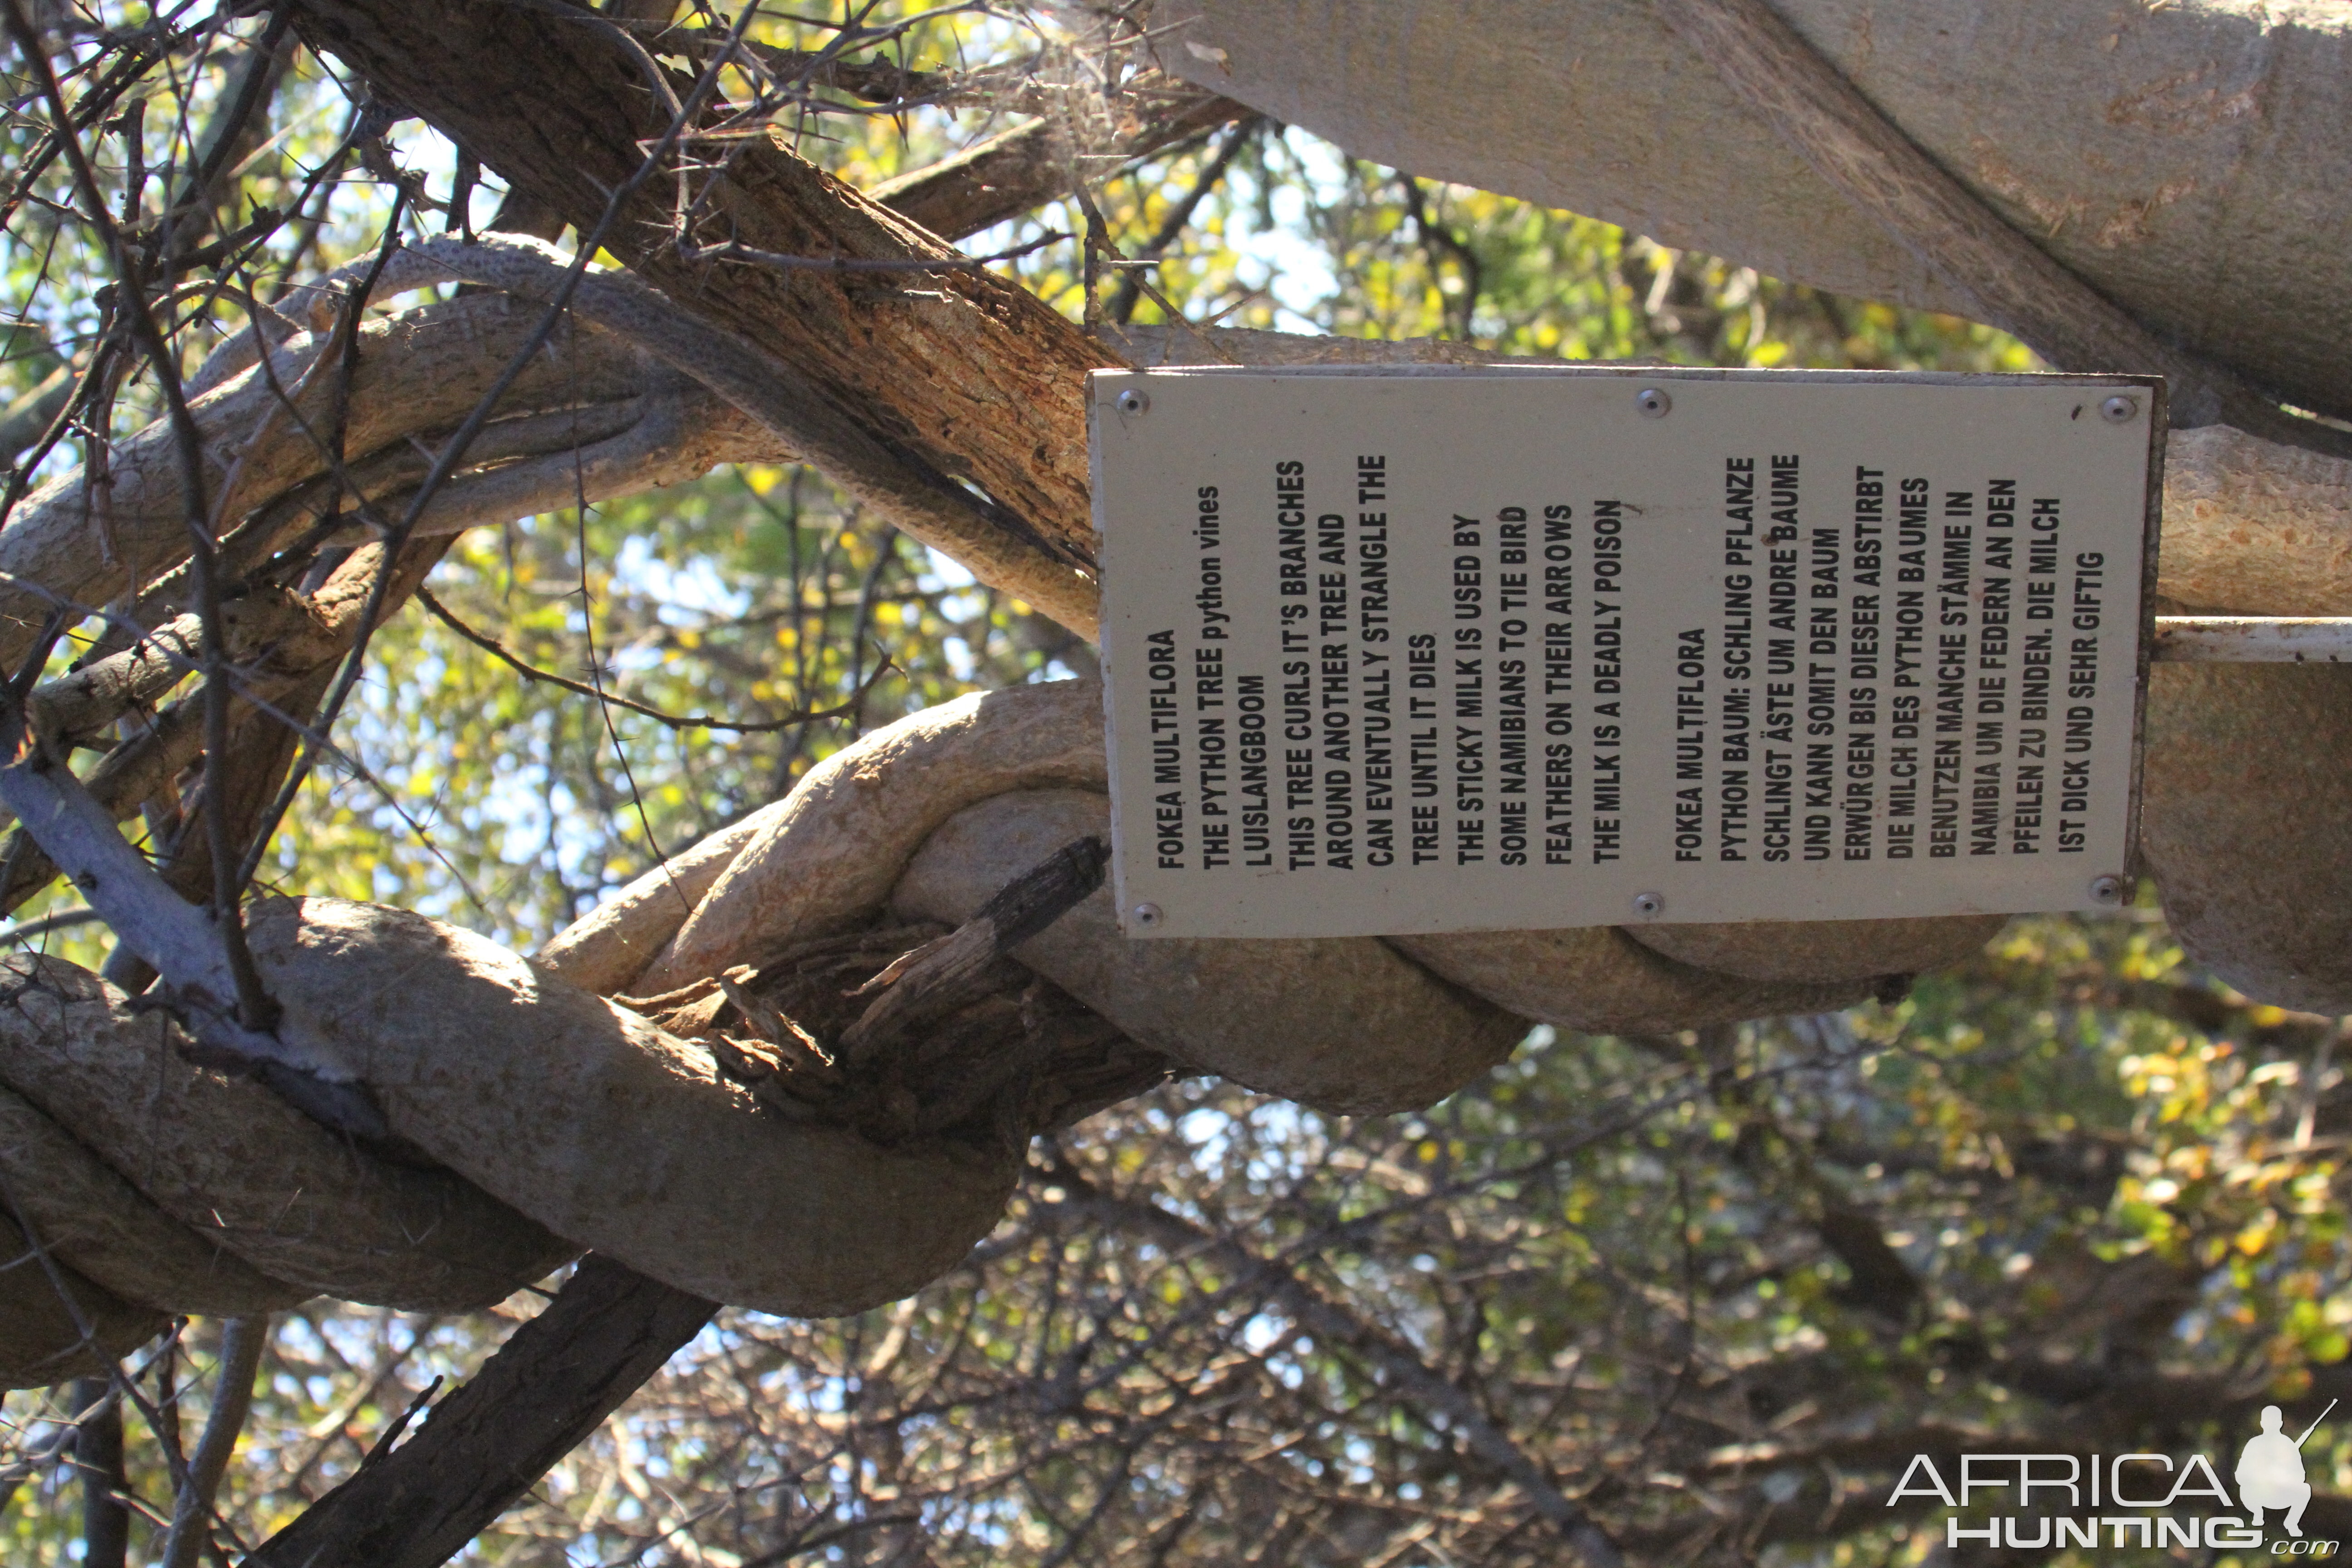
(961, 373)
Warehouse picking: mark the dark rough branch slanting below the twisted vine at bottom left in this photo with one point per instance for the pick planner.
(549, 1386)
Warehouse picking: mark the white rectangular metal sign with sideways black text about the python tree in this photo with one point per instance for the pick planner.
(1471, 650)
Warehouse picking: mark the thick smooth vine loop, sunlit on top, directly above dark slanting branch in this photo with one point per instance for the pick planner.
(610, 1132)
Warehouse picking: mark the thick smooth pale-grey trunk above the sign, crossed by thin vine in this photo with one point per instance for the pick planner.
(2184, 159)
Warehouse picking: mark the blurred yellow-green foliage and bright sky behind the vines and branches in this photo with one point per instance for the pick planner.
(1713, 1285)
